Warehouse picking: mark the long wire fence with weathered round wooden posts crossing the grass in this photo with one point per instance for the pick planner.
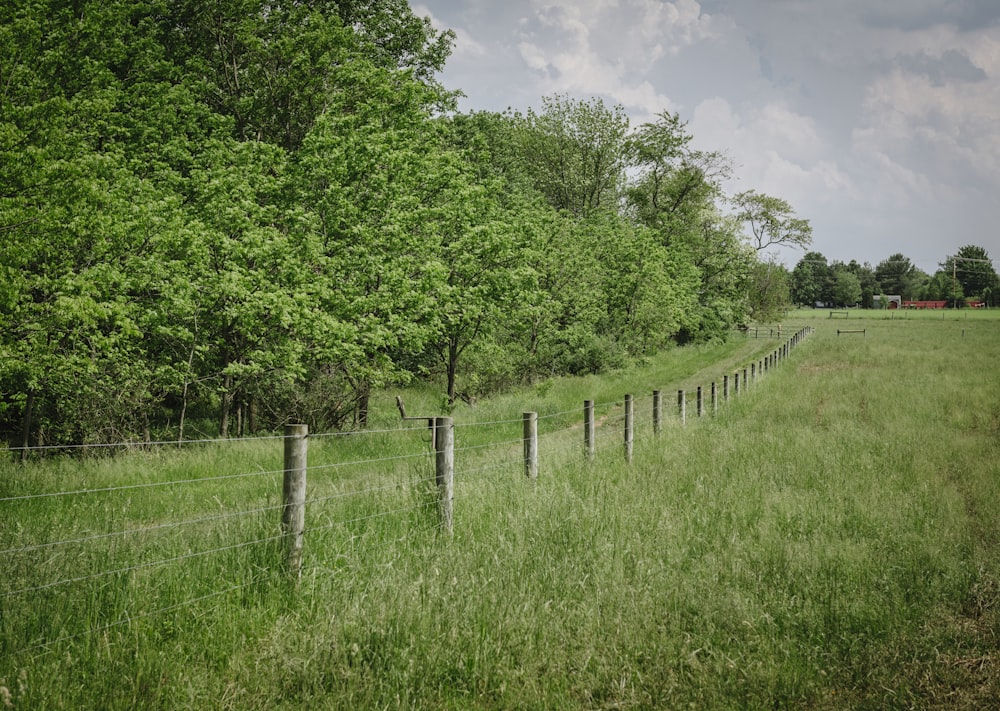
(49, 550)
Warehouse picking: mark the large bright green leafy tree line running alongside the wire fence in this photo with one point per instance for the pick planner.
(219, 217)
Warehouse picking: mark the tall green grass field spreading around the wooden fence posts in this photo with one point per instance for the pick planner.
(829, 539)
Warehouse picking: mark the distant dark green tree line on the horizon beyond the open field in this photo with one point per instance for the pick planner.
(967, 275)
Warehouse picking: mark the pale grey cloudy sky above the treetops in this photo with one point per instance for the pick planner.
(878, 121)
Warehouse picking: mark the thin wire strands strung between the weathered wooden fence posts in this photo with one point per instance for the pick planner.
(479, 462)
